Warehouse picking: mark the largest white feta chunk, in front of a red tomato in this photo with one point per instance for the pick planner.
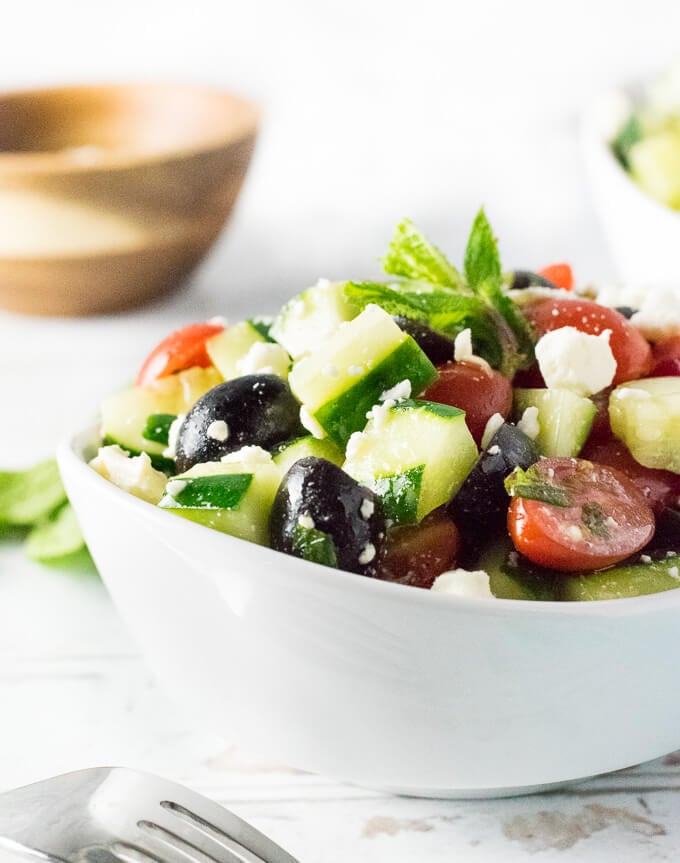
(572, 360)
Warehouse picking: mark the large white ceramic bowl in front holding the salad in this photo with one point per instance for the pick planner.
(377, 683)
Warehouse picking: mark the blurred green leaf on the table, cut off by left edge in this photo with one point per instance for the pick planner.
(28, 496)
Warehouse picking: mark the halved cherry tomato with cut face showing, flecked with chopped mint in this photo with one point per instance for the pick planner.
(607, 518)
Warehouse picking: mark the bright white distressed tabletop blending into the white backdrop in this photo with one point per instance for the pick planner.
(371, 111)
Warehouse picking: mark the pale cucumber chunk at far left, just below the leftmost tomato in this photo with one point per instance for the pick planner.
(125, 414)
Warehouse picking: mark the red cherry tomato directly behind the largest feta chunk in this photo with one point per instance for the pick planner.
(631, 350)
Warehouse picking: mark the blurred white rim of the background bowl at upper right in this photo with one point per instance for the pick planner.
(596, 138)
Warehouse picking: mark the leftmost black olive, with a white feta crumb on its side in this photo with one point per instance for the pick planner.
(258, 410)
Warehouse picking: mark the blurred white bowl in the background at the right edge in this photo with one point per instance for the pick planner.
(643, 235)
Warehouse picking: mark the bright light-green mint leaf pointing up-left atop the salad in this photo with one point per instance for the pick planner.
(412, 256)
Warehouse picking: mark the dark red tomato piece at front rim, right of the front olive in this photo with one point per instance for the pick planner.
(417, 554)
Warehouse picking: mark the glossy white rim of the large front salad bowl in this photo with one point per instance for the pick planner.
(70, 454)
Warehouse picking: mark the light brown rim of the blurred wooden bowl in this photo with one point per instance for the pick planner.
(62, 161)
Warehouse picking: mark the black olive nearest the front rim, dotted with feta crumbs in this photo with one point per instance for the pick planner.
(320, 513)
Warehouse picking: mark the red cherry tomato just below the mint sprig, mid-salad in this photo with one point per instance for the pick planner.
(476, 389)
